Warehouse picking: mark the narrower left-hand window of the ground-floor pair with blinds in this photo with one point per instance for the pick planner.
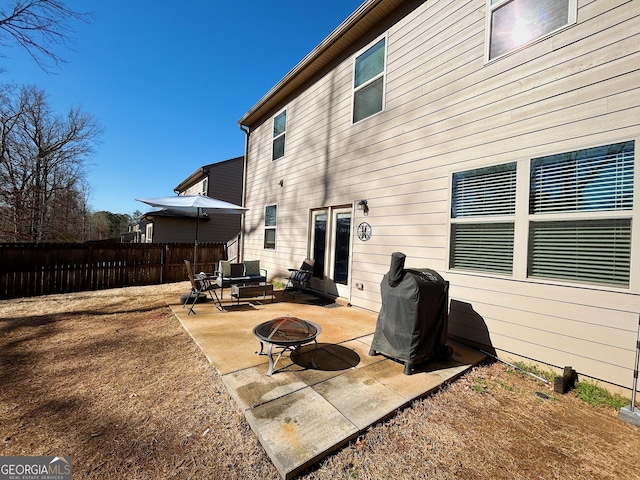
(482, 228)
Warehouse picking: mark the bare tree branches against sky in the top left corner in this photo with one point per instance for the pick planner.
(39, 26)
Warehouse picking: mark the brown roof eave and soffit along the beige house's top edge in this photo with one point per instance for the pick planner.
(358, 24)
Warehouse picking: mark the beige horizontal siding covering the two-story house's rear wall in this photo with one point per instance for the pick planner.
(447, 111)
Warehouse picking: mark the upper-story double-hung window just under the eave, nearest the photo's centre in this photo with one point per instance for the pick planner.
(368, 81)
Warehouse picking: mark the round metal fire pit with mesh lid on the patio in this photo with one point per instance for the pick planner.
(287, 334)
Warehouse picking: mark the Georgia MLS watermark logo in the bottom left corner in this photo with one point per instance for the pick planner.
(35, 468)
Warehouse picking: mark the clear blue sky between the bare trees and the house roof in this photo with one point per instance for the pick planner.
(168, 81)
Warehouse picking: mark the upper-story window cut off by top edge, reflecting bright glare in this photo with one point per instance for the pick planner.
(514, 23)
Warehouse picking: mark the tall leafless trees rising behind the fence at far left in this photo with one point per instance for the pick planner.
(42, 160)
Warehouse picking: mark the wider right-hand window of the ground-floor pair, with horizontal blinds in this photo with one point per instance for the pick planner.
(595, 182)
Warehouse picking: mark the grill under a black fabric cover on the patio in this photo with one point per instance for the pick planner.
(412, 323)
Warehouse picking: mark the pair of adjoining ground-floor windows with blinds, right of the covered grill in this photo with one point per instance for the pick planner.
(576, 226)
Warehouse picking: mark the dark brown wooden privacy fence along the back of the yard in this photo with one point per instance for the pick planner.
(40, 269)
